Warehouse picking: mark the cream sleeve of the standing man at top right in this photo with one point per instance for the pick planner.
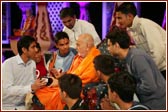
(157, 46)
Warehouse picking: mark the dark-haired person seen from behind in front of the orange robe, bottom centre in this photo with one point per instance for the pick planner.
(71, 87)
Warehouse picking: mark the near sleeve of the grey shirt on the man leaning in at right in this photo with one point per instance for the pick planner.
(143, 73)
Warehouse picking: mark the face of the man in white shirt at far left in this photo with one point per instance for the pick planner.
(32, 50)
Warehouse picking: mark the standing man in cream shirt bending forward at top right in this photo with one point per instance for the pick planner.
(147, 35)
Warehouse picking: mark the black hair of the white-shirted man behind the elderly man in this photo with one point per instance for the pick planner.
(65, 12)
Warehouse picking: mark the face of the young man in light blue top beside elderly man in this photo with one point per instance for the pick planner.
(63, 46)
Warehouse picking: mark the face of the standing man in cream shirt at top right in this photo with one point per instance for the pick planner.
(123, 20)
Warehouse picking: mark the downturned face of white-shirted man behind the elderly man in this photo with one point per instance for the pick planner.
(69, 21)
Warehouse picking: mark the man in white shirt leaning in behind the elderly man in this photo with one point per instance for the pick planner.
(74, 27)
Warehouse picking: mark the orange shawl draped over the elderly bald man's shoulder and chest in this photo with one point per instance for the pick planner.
(84, 68)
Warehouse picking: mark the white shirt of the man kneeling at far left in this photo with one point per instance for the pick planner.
(17, 78)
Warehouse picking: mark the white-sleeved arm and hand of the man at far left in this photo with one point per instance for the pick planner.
(11, 88)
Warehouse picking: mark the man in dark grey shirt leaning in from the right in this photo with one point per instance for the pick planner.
(151, 86)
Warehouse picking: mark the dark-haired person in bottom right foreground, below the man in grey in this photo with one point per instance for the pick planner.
(121, 89)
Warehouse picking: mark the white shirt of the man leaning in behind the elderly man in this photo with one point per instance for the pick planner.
(81, 27)
